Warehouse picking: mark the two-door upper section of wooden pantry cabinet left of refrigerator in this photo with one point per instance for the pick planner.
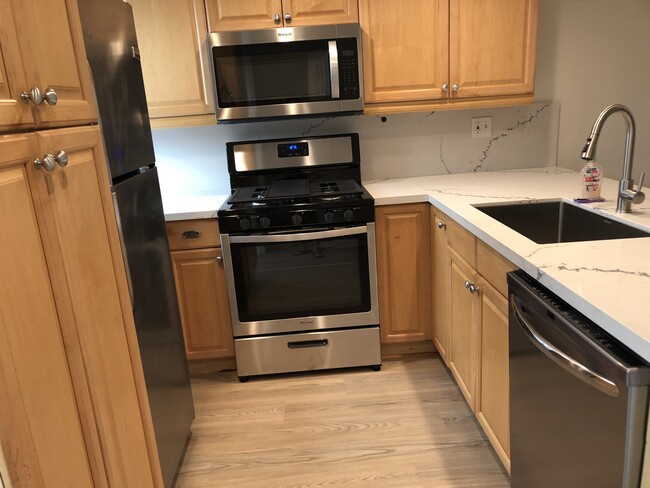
(34, 56)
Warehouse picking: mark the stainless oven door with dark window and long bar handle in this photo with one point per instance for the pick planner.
(307, 280)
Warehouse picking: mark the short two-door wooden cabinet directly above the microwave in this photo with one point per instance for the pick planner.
(227, 15)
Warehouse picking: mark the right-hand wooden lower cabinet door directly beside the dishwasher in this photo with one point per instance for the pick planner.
(492, 399)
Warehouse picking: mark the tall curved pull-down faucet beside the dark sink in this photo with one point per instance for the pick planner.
(627, 195)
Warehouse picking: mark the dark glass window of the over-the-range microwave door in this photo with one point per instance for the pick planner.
(265, 74)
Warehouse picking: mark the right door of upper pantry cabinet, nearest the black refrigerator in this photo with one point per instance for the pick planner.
(53, 58)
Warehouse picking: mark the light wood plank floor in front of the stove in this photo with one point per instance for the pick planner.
(404, 426)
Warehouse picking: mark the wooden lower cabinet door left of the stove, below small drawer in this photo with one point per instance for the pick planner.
(203, 303)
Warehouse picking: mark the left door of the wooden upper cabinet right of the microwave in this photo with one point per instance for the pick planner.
(405, 55)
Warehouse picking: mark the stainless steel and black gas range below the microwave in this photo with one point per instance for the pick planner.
(298, 237)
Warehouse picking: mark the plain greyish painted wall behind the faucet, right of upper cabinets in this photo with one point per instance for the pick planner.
(592, 53)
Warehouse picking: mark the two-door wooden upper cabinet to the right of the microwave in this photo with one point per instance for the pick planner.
(448, 53)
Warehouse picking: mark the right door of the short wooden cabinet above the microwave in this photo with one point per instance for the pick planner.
(315, 12)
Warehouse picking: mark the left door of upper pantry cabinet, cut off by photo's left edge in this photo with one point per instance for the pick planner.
(13, 112)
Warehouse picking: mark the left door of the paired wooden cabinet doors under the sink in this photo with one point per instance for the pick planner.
(464, 315)
